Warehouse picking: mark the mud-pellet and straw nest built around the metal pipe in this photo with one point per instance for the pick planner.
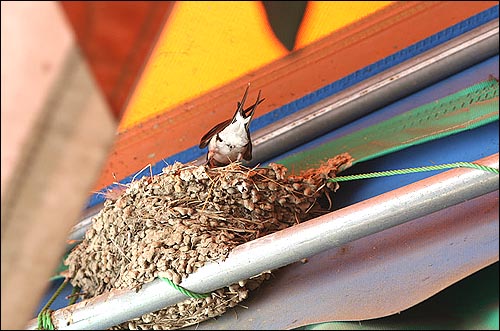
(171, 224)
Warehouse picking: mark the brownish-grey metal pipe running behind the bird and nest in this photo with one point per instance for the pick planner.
(365, 97)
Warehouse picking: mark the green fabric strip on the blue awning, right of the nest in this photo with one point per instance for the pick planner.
(467, 109)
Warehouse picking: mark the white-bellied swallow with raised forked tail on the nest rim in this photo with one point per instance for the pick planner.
(230, 141)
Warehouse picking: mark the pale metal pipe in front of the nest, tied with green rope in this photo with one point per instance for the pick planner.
(287, 246)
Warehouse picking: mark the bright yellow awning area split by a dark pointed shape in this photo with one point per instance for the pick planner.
(208, 44)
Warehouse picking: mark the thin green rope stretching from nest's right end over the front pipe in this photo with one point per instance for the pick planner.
(412, 170)
